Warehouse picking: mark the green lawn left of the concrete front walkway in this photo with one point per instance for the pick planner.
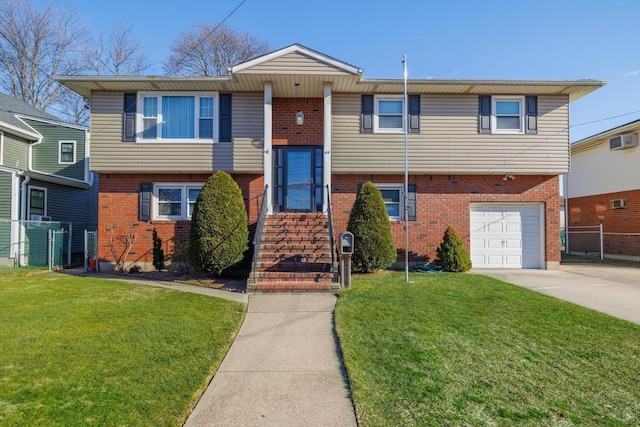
(85, 351)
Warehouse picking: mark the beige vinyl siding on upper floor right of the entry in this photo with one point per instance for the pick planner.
(449, 141)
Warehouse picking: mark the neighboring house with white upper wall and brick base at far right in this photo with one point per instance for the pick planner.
(603, 187)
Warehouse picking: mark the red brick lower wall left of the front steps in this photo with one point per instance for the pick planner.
(118, 213)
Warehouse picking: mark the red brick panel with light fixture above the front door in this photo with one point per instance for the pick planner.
(285, 129)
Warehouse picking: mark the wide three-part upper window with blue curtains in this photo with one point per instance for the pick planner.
(177, 117)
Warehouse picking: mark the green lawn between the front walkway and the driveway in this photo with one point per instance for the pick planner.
(461, 349)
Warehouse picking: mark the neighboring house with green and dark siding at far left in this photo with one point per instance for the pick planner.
(44, 172)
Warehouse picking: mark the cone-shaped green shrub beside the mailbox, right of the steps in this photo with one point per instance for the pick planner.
(369, 223)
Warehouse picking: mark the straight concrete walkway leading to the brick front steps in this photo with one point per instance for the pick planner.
(284, 369)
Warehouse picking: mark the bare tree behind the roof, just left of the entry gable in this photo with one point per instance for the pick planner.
(210, 50)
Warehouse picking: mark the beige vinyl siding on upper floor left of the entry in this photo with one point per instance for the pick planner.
(110, 154)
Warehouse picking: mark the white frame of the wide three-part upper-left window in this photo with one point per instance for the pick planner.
(196, 119)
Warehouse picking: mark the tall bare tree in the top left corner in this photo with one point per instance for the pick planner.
(36, 44)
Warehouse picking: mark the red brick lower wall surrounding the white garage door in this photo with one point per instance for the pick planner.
(444, 200)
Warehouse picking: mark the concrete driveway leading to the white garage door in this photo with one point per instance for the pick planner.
(611, 289)
